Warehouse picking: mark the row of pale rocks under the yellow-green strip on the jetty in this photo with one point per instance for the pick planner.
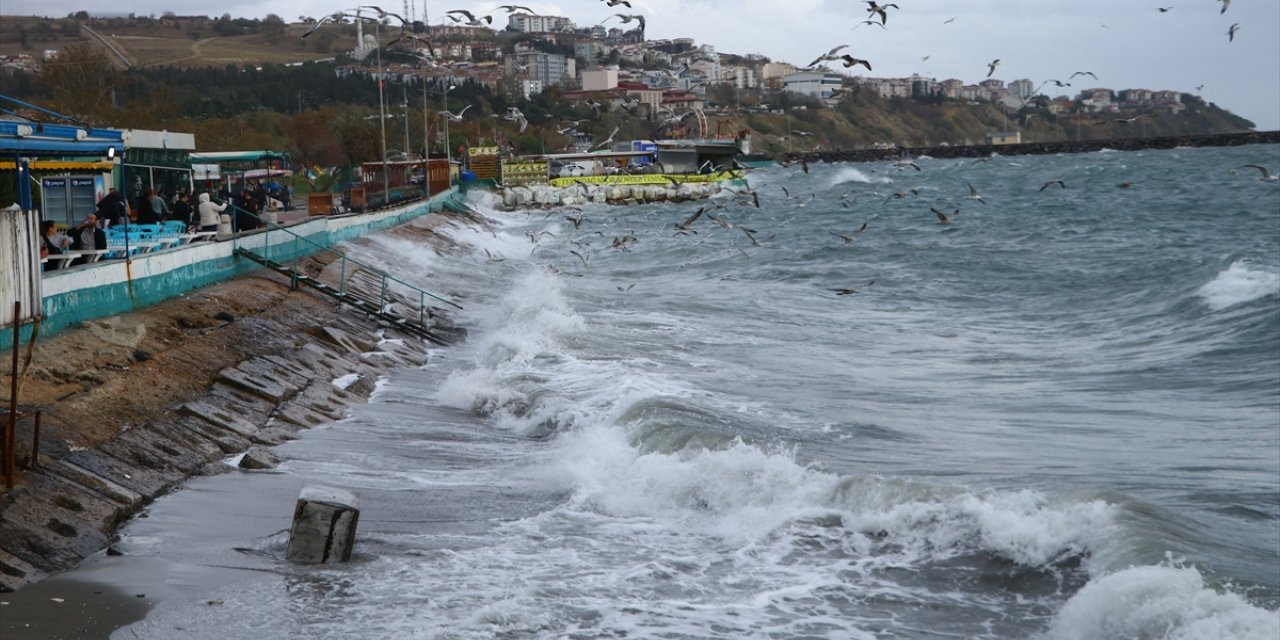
(606, 194)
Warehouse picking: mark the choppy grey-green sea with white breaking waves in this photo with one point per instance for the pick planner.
(1057, 417)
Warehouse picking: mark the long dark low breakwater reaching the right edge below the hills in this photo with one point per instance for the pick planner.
(871, 156)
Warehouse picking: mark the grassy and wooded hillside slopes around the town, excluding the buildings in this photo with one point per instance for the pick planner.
(186, 74)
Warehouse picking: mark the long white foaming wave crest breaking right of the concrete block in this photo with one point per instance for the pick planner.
(744, 493)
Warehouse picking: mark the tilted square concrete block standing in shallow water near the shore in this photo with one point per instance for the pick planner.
(324, 527)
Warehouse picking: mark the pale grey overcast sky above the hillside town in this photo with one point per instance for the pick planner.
(1128, 44)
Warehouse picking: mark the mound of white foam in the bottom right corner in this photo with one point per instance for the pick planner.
(1160, 602)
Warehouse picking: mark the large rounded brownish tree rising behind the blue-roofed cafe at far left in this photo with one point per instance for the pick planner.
(81, 83)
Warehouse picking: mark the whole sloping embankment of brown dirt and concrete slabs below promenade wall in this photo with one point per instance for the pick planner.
(140, 404)
